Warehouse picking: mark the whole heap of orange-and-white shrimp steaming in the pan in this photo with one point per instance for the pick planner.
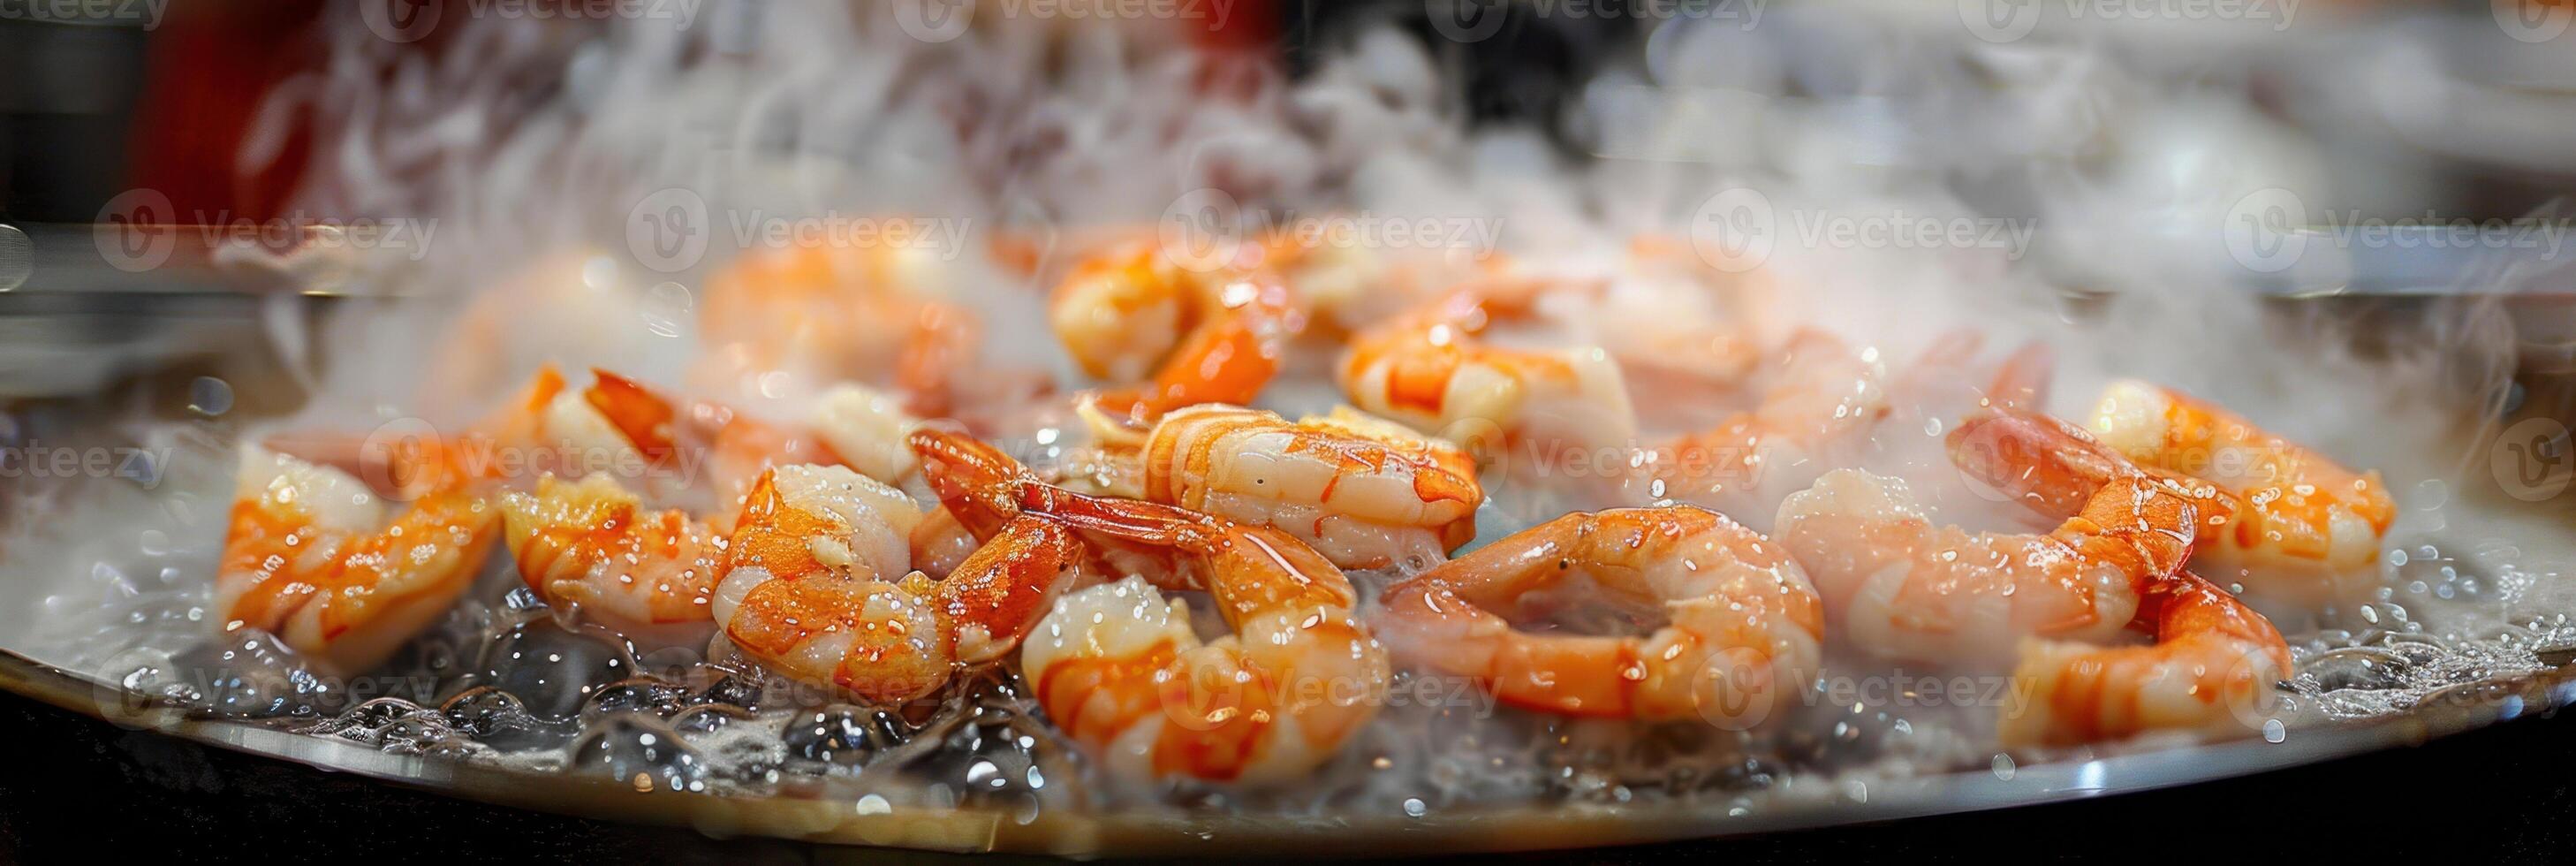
(818, 501)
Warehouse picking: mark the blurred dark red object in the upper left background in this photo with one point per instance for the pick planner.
(207, 71)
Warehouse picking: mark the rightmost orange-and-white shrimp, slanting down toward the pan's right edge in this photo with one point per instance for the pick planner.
(2286, 519)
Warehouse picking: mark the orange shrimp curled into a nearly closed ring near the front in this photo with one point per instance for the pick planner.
(1743, 622)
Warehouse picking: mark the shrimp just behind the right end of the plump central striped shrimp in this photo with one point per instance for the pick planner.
(1428, 370)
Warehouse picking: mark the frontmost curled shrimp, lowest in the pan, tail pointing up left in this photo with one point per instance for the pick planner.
(1124, 674)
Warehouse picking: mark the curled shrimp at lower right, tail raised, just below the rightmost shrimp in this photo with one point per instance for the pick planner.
(2214, 661)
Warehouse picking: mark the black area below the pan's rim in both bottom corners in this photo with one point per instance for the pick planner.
(89, 793)
